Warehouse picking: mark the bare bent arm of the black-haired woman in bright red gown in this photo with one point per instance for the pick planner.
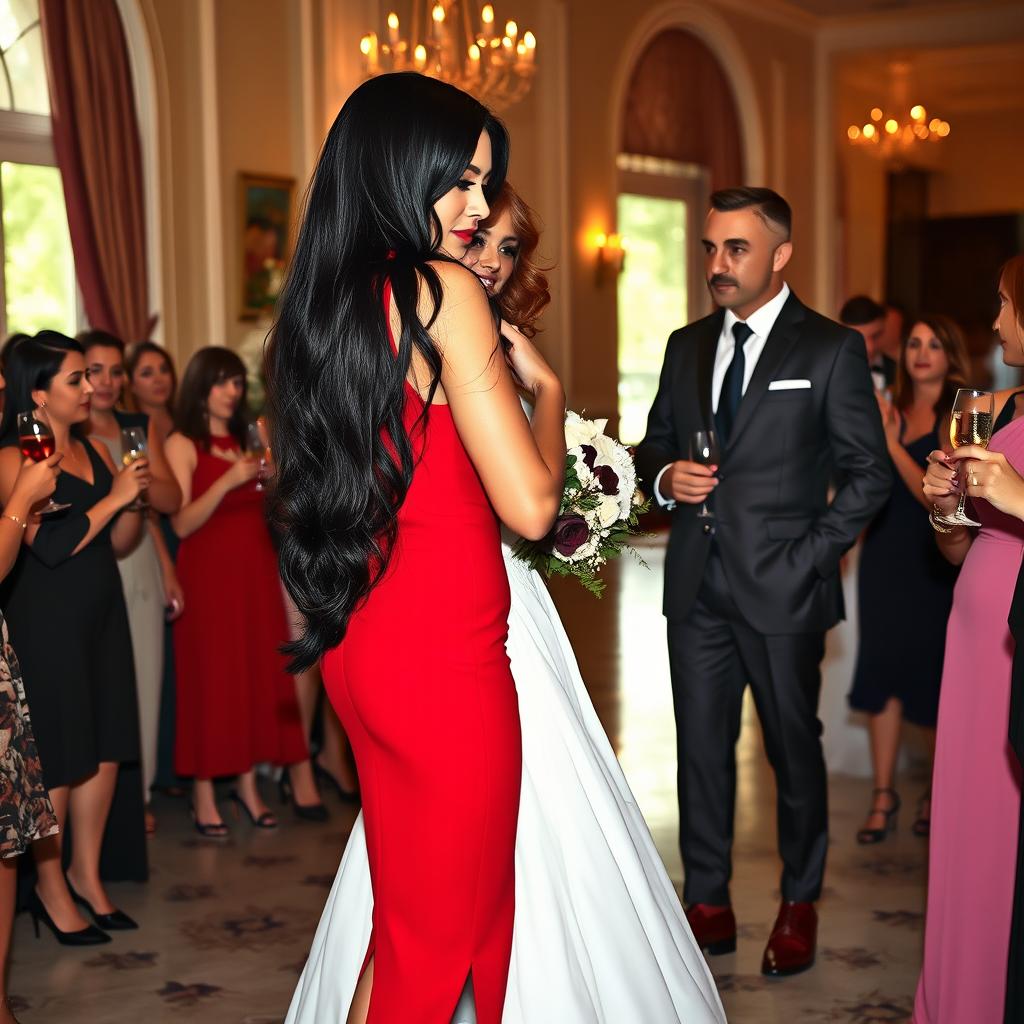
(522, 463)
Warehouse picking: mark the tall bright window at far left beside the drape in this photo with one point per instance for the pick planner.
(37, 288)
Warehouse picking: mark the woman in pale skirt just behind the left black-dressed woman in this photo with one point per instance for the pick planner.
(148, 574)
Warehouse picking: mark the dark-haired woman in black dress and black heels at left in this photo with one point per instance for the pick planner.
(67, 616)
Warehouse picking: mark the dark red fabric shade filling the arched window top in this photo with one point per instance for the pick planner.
(680, 107)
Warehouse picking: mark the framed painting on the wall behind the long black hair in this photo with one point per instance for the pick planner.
(266, 205)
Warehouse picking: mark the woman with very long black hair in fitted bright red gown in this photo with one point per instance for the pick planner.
(399, 435)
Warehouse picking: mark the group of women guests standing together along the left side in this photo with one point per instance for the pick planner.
(145, 619)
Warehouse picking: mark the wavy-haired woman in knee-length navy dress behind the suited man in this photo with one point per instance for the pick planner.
(906, 585)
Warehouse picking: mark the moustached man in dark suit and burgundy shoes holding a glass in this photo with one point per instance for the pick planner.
(751, 591)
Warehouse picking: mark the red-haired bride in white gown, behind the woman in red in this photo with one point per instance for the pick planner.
(601, 936)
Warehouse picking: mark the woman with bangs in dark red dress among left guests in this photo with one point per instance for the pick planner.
(236, 702)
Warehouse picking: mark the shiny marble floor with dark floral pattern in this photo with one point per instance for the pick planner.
(226, 928)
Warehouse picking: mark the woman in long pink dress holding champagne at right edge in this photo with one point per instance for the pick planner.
(976, 787)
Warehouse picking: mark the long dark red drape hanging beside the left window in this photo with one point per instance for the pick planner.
(96, 138)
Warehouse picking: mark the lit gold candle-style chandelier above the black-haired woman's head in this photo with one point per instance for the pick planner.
(446, 44)
